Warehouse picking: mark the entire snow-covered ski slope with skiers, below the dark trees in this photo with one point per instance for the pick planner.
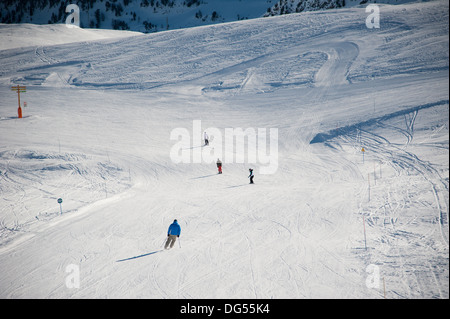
(100, 131)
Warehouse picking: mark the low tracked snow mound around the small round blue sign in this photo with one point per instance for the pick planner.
(33, 180)
